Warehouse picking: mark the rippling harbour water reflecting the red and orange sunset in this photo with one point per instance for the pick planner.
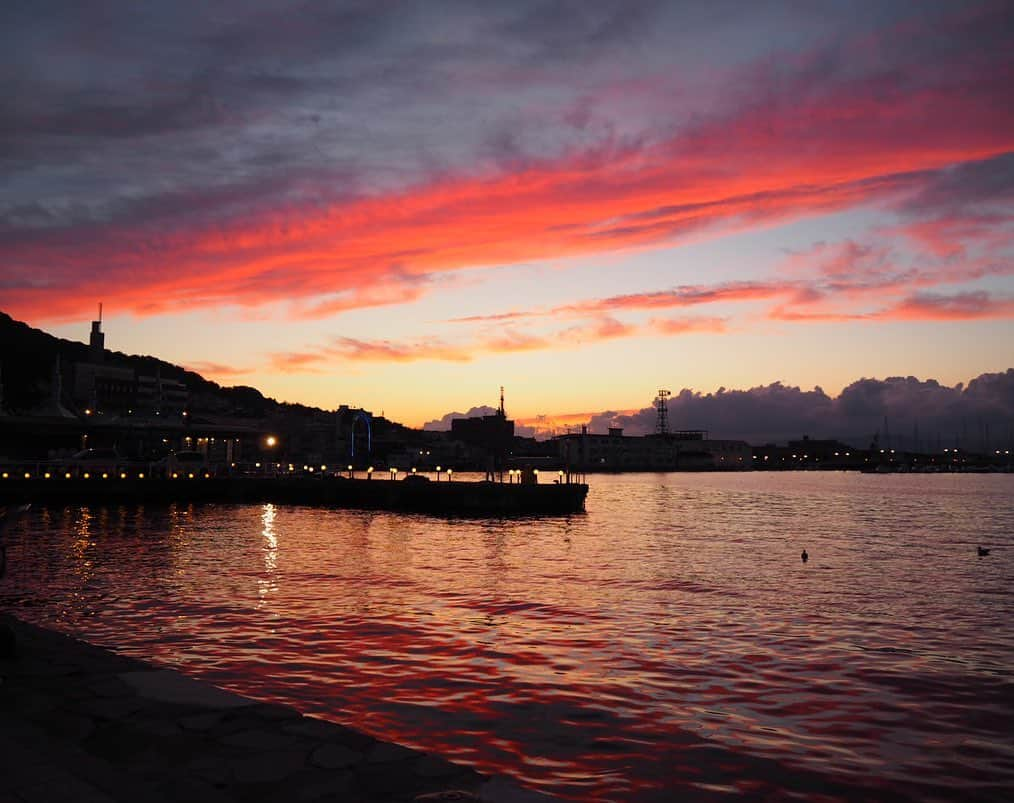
(670, 641)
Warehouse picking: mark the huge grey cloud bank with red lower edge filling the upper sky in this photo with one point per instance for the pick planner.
(155, 133)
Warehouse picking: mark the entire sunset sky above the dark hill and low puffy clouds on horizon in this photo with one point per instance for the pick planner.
(406, 206)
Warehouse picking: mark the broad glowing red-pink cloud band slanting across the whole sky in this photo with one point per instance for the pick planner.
(794, 149)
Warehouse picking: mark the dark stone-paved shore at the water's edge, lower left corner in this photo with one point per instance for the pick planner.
(80, 723)
